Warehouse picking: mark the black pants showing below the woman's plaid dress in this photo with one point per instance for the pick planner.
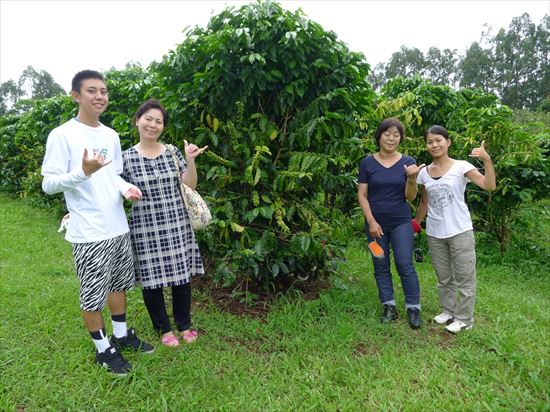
(181, 307)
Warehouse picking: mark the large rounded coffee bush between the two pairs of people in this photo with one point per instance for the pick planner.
(277, 100)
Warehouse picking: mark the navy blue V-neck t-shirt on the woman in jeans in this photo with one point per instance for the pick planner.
(386, 190)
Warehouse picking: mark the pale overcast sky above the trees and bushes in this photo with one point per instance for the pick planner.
(63, 37)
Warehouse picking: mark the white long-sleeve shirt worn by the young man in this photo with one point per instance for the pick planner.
(95, 202)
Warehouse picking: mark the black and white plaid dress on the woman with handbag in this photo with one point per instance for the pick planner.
(165, 250)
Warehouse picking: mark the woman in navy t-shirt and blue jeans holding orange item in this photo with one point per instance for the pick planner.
(387, 180)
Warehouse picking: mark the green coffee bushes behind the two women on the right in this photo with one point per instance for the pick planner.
(519, 152)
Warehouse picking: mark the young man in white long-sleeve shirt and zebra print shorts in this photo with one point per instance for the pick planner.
(83, 160)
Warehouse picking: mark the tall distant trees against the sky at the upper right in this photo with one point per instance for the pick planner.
(514, 64)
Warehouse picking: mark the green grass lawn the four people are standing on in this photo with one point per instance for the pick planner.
(328, 354)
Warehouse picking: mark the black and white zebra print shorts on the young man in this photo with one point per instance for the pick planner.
(102, 267)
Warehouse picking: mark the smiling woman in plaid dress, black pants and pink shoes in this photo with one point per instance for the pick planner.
(165, 250)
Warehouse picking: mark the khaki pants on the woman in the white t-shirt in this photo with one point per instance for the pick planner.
(454, 262)
